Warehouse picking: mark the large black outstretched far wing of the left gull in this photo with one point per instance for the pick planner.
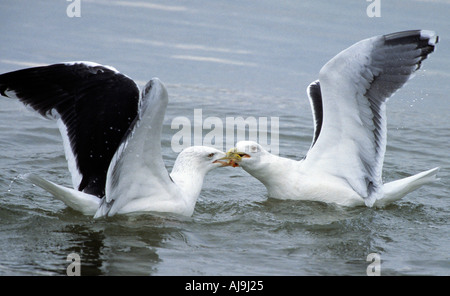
(95, 103)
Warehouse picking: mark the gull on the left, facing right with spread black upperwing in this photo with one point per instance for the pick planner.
(112, 140)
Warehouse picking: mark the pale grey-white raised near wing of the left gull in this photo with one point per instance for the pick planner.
(137, 170)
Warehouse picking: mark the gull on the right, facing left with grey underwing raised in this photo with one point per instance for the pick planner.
(344, 163)
